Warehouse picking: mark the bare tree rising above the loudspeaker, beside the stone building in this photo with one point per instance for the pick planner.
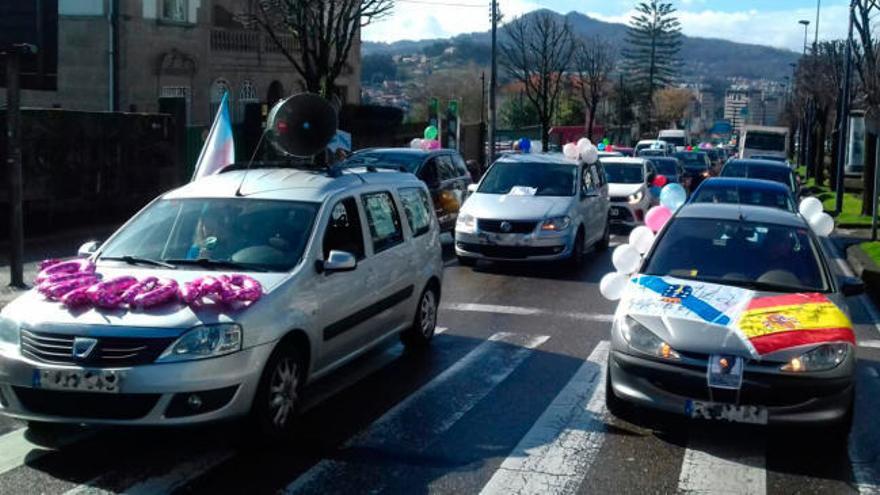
(323, 32)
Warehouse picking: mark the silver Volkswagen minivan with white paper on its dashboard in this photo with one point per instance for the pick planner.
(535, 208)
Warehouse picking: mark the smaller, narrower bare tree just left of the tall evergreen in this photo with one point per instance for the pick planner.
(593, 63)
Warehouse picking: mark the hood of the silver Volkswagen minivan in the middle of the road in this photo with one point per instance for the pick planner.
(512, 207)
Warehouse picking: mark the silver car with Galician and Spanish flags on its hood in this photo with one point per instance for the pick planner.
(695, 334)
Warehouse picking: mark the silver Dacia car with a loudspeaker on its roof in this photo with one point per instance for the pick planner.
(344, 259)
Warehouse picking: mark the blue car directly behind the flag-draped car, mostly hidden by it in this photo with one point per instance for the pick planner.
(755, 192)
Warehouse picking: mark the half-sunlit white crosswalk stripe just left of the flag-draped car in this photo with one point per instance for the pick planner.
(556, 453)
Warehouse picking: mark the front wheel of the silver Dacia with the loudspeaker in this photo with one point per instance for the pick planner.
(276, 403)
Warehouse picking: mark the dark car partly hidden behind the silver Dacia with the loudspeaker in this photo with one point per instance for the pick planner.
(443, 171)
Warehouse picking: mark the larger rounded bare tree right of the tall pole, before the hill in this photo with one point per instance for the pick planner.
(536, 50)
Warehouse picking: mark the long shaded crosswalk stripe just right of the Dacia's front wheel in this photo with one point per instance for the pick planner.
(410, 425)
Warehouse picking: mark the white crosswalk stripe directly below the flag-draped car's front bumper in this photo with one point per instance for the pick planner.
(710, 466)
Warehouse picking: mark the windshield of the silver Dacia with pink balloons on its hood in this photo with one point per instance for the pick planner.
(264, 235)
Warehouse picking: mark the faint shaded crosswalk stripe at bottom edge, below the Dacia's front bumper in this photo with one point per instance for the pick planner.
(182, 474)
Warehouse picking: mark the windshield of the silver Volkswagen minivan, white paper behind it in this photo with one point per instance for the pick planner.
(537, 179)
